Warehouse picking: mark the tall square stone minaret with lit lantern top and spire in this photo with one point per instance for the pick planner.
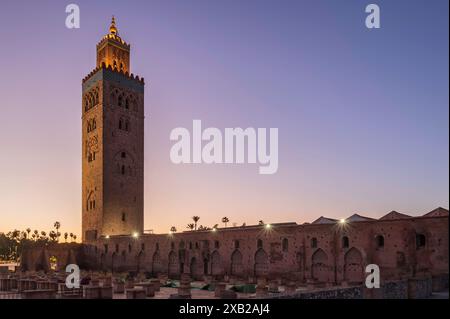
(113, 143)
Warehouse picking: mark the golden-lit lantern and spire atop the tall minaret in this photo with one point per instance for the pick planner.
(113, 51)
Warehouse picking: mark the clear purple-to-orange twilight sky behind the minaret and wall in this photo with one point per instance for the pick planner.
(362, 114)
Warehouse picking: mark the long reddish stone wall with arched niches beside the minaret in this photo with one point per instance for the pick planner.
(302, 253)
